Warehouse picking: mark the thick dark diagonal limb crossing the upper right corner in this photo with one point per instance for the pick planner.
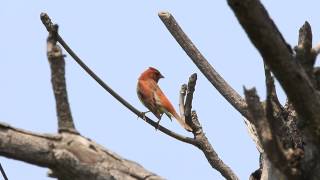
(277, 54)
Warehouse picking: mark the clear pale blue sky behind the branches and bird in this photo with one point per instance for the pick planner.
(118, 40)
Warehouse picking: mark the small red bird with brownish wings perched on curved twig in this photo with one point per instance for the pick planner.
(154, 99)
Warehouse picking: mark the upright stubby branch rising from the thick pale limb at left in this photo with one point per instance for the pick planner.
(57, 66)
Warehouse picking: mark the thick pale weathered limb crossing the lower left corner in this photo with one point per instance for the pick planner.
(69, 156)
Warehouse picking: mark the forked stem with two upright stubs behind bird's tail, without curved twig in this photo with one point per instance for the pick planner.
(202, 141)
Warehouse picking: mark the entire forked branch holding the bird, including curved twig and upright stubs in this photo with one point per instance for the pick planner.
(199, 139)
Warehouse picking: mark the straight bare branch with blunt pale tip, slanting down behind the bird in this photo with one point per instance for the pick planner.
(200, 61)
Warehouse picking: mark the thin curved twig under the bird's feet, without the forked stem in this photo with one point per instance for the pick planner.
(49, 25)
